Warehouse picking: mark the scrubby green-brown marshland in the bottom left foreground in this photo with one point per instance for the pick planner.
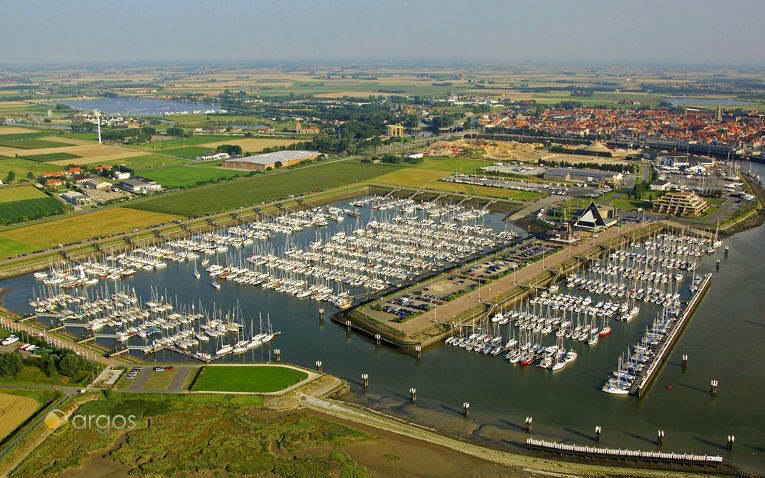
(176, 435)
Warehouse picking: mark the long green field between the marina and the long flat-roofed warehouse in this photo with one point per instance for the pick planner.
(263, 187)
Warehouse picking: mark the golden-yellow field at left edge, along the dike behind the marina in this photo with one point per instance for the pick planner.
(76, 228)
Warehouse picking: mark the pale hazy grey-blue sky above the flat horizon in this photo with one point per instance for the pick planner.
(687, 32)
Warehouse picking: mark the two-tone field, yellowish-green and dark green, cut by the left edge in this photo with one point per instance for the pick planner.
(24, 203)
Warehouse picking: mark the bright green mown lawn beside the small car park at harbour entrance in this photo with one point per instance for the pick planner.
(271, 378)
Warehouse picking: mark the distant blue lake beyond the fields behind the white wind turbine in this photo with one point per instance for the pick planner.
(139, 106)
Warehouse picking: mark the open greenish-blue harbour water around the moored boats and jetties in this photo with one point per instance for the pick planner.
(723, 341)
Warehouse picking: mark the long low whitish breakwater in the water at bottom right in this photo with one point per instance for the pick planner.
(624, 454)
